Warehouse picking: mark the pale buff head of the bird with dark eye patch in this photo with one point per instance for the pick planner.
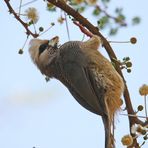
(43, 51)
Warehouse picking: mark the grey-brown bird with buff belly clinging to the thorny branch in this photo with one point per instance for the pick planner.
(88, 75)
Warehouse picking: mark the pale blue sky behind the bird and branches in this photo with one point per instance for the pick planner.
(34, 113)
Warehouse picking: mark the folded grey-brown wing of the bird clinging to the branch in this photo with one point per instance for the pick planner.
(75, 74)
